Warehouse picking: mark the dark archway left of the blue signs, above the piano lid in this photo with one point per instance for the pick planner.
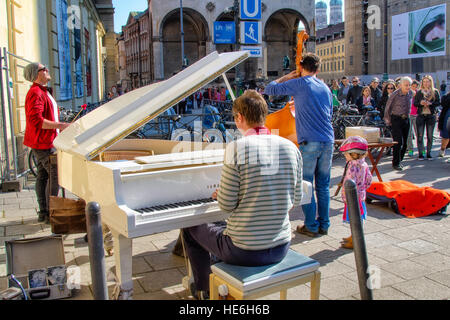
(196, 33)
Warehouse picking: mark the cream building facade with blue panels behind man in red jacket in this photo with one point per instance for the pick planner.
(33, 29)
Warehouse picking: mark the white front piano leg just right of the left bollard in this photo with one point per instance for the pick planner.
(123, 252)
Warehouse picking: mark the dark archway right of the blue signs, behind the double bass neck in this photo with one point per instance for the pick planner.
(280, 35)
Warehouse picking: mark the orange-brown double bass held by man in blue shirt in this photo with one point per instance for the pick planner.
(284, 119)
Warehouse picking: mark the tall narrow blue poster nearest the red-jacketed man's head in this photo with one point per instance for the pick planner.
(65, 77)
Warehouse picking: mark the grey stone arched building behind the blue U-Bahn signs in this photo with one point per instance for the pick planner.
(280, 22)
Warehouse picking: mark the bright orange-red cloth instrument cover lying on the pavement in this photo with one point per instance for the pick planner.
(412, 201)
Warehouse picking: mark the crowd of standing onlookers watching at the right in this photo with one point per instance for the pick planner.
(410, 108)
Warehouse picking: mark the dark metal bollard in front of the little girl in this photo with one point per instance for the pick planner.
(359, 245)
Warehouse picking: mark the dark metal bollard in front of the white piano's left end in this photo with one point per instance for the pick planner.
(96, 251)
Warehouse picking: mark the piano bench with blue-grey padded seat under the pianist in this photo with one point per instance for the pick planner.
(247, 283)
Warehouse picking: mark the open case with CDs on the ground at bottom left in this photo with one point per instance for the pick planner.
(39, 265)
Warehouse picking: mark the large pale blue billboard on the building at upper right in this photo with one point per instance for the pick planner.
(420, 33)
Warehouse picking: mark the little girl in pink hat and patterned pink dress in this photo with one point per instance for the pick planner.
(355, 151)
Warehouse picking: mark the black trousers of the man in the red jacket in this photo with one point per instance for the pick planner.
(43, 183)
